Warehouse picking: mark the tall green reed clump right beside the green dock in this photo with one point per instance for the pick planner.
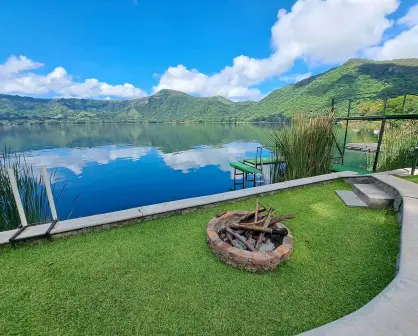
(306, 147)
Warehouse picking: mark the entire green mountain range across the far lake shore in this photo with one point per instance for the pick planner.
(365, 82)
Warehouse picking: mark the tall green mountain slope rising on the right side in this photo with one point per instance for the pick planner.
(361, 80)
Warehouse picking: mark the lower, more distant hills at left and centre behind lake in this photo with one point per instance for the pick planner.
(166, 105)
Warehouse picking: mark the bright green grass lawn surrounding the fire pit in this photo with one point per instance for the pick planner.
(160, 278)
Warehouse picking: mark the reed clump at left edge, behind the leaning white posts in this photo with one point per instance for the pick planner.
(31, 189)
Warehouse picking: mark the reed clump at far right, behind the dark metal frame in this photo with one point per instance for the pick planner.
(397, 147)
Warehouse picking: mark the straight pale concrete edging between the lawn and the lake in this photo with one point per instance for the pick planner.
(117, 218)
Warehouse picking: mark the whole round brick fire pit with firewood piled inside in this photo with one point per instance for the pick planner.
(255, 241)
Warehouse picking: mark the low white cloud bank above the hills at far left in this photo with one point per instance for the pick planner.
(16, 78)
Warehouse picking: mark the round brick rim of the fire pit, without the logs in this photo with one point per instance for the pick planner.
(238, 257)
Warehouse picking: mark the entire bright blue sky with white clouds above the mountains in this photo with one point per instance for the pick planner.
(239, 49)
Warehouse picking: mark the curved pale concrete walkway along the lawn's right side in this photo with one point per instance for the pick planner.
(394, 311)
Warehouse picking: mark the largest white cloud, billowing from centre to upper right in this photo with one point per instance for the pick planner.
(318, 31)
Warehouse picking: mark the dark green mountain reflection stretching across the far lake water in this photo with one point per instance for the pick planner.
(167, 137)
